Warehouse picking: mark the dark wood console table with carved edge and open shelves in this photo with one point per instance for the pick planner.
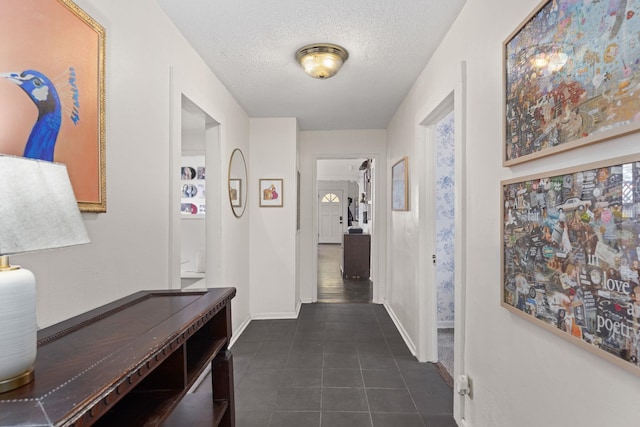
(131, 363)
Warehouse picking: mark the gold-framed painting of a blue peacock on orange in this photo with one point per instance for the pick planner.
(53, 44)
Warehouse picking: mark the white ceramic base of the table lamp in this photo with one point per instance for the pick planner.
(18, 329)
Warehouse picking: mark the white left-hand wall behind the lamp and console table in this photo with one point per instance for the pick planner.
(129, 247)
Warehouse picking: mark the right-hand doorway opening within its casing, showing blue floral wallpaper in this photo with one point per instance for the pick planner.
(439, 243)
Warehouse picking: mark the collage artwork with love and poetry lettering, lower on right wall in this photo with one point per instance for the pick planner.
(572, 255)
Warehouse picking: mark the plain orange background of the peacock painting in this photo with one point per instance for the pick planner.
(44, 35)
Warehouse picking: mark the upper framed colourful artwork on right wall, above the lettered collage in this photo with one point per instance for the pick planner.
(571, 71)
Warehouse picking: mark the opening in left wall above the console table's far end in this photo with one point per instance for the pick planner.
(195, 214)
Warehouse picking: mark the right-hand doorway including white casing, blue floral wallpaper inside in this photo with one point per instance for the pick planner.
(443, 306)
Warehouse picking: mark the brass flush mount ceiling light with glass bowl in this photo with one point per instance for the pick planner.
(322, 60)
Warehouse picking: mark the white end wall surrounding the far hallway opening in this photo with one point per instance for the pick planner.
(316, 145)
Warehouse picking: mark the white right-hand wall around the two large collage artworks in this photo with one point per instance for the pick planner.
(522, 375)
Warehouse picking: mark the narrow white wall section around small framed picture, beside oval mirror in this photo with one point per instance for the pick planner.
(273, 229)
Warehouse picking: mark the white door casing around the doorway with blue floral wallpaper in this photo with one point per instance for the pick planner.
(454, 100)
